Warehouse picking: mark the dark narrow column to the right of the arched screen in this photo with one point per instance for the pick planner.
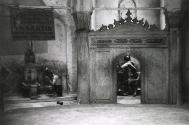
(175, 84)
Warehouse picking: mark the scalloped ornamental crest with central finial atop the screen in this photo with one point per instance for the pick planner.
(130, 21)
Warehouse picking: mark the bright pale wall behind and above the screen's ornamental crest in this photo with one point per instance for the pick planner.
(107, 16)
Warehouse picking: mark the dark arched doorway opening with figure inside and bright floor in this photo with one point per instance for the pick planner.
(128, 80)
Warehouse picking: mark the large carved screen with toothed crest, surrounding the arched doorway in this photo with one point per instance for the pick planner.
(145, 42)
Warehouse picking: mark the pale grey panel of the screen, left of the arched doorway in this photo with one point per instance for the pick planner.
(102, 79)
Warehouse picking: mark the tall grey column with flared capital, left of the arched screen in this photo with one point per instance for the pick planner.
(82, 21)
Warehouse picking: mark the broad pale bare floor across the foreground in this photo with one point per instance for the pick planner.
(101, 114)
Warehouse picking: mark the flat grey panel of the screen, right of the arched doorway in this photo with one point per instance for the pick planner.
(156, 73)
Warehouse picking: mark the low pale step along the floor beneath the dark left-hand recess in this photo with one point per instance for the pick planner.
(17, 102)
